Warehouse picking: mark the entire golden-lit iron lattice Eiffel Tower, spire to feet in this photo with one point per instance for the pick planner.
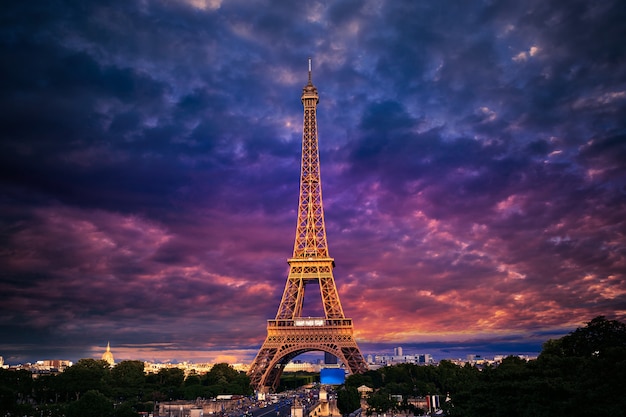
(290, 334)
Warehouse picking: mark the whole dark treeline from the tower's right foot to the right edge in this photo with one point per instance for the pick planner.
(580, 374)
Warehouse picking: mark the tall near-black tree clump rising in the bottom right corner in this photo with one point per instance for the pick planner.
(582, 373)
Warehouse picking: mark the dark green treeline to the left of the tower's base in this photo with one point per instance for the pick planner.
(92, 388)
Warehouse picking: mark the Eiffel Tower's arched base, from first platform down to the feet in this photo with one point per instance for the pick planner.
(287, 339)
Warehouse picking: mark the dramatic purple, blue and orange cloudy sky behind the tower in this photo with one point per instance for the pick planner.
(473, 163)
